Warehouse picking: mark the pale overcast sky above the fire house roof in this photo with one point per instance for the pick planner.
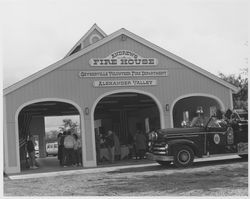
(212, 34)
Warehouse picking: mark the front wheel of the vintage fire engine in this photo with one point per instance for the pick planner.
(183, 156)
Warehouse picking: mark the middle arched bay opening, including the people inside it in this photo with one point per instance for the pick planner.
(130, 116)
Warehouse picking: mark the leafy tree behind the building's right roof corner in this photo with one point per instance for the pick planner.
(240, 99)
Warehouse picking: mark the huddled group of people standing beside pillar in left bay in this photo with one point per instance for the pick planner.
(69, 149)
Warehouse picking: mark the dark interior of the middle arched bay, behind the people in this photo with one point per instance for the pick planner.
(124, 114)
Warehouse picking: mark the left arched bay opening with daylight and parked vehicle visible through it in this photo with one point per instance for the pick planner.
(43, 123)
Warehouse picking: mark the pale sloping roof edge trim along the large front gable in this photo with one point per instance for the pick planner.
(107, 39)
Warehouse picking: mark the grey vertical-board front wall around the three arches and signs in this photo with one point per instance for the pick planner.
(65, 83)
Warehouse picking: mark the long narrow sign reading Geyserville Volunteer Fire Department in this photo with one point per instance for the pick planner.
(133, 73)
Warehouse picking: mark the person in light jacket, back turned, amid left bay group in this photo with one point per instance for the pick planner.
(69, 143)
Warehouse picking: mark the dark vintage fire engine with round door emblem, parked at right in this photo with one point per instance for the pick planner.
(218, 137)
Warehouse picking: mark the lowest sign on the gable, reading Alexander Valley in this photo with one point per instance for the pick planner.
(112, 83)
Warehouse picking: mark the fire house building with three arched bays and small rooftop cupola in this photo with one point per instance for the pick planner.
(118, 81)
